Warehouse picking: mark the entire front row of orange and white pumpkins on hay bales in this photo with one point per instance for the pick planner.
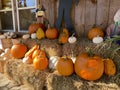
(87, 65)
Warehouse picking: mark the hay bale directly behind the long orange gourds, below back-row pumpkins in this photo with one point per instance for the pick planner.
(51, 47)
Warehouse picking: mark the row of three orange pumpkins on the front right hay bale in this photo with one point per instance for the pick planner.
(86, 66)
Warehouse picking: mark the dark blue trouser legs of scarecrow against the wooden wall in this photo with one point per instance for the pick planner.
(64, 10)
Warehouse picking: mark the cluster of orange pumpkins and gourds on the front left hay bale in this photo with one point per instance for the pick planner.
(34, 56)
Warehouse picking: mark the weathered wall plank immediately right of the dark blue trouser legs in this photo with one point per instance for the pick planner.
(80, 18)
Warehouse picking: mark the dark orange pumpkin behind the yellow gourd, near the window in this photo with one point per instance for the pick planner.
(34, 27)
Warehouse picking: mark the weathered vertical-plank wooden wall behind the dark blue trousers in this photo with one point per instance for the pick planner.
(85, 14)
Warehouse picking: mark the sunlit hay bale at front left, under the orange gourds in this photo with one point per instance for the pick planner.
(25, 74)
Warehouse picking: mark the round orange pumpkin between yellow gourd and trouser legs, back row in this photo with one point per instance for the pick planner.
(51, 33)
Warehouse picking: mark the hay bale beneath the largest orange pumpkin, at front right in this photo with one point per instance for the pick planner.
(57, 82)
